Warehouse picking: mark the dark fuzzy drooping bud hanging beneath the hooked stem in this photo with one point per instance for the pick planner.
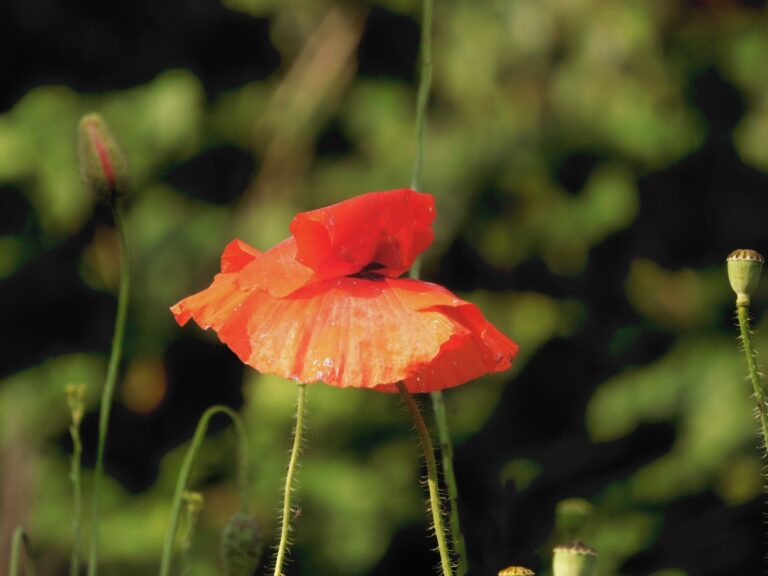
(241, 545)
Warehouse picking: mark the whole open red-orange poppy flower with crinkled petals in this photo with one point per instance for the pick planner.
(327, 304)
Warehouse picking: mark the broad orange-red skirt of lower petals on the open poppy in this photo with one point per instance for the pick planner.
(354, 332)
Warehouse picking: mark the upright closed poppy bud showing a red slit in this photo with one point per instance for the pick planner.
(103, 167)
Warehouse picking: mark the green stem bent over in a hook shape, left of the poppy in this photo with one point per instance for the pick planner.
(183, 478)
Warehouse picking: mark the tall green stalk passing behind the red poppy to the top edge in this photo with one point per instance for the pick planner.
(438, 402)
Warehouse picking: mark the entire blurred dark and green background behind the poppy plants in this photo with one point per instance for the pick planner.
(594, 162)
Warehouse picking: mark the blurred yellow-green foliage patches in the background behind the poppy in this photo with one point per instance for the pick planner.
(519, 85)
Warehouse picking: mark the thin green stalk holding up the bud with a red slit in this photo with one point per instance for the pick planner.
(109, 385)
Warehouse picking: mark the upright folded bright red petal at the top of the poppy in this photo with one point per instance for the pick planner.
(388, 229)
